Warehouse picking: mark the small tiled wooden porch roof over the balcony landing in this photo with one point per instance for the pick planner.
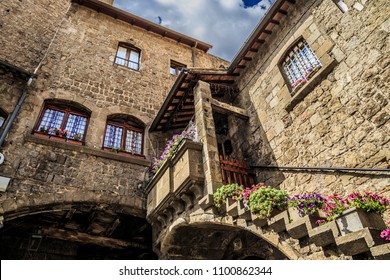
(178, 108)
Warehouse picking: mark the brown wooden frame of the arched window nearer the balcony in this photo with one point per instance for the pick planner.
(125, 127)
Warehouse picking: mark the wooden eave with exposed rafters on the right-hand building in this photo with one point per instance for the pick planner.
(258, 37)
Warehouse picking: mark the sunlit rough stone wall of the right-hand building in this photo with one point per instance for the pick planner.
(343, 121)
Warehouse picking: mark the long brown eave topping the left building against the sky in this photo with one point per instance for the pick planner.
(143, 23)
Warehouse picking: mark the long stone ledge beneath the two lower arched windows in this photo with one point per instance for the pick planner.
(86, 150)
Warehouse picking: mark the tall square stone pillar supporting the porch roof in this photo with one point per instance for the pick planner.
(206, 134)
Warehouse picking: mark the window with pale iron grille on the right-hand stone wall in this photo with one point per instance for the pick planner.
(299, 65)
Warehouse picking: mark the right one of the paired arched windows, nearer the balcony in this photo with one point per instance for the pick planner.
(124, 133)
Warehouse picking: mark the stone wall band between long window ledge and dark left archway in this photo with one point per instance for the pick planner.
(55, 173)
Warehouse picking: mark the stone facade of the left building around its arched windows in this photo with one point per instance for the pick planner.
(79, 67)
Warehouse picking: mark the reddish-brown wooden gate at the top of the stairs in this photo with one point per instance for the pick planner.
(235, 172)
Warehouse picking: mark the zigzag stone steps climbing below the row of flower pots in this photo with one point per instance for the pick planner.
(363, 240)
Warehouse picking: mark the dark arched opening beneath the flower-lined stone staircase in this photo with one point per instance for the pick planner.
(213, 240)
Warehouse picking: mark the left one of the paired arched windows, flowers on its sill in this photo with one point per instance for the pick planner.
(67, 120)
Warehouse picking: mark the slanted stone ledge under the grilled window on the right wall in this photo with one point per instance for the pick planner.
(311, 84)
